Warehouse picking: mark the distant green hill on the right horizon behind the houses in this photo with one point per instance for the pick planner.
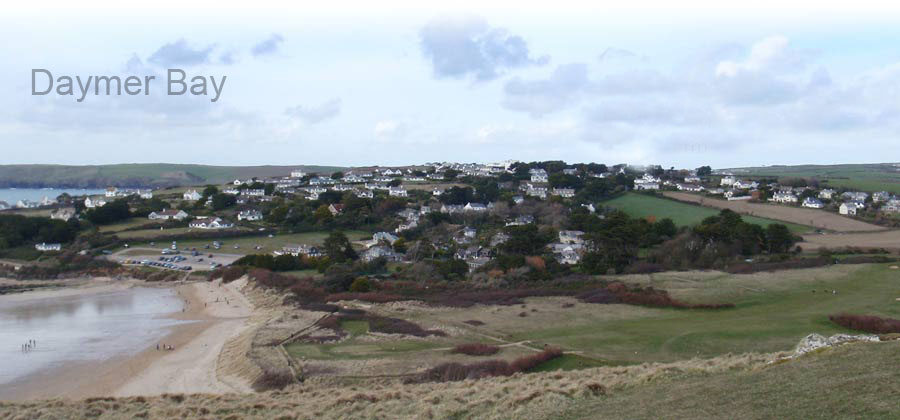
(866, 177)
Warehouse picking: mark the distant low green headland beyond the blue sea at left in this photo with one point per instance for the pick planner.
(137, 174)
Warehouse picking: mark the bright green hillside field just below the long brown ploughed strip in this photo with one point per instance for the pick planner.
(683, 214)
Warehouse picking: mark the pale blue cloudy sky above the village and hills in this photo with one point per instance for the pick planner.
(352, 84)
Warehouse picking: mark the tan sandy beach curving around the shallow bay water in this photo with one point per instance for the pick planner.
(213, 313)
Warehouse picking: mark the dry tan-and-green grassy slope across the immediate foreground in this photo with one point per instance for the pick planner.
(818, 385)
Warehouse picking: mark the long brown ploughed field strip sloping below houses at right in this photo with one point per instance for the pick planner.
(801, 216)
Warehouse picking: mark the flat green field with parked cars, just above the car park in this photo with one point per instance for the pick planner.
(247, 245)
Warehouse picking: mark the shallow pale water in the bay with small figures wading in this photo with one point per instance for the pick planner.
(78, 328)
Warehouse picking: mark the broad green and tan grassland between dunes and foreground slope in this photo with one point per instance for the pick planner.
(773, 311)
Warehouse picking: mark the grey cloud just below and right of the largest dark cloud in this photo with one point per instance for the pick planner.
(539, 97)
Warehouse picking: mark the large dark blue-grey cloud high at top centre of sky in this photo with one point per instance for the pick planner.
(460, 47)
